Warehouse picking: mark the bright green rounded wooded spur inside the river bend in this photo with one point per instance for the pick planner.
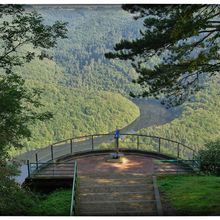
(79, 112)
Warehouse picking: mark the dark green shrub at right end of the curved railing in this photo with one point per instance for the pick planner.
(209, 158)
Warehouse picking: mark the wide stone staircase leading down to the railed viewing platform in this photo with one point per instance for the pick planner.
(117, 194)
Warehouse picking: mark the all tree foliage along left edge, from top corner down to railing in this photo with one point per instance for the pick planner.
(23, 37)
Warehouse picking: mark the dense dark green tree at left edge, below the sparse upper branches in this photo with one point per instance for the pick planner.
(17, 111)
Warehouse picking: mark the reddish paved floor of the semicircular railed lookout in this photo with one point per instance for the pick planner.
(97, 164)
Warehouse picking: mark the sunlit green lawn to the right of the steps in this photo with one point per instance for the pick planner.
(191, 195)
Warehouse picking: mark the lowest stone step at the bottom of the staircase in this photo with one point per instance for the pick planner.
(121, 206)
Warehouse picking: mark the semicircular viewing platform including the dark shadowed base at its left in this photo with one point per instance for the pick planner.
(60, 172)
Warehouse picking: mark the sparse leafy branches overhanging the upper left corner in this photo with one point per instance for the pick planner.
(18, 29)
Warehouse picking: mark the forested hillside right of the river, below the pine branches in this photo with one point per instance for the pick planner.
(200, 120)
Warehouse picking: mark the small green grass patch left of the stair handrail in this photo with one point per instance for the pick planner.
(55, 204)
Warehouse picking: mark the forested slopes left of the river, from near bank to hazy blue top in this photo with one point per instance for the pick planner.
(80, 86)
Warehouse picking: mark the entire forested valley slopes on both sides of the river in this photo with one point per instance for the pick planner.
(82, 88)
